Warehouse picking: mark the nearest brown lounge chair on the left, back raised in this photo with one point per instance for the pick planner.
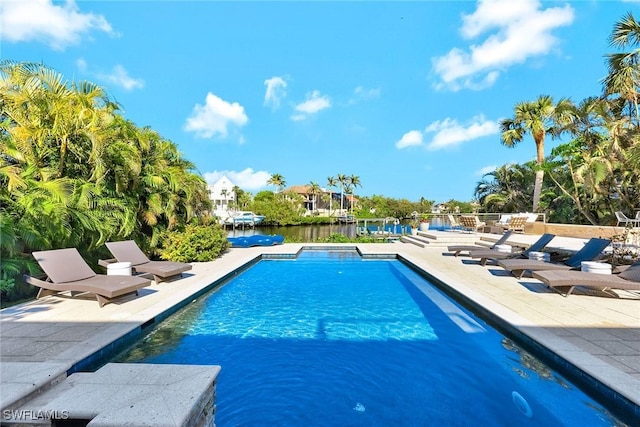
(66, 270)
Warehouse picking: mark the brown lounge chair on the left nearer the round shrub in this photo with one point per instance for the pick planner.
(128, 251)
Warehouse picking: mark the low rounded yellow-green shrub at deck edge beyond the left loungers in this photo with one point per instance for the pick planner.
(197, 243)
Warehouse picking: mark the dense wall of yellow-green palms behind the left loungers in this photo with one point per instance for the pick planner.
(75, 173)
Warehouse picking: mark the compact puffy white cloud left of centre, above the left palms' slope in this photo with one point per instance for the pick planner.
(215, 117)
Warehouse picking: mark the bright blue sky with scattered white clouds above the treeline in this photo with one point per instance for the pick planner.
(405, 95)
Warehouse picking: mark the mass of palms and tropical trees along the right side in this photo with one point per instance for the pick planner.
(596, 172)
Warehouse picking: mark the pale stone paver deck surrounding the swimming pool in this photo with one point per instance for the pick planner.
(40, 341)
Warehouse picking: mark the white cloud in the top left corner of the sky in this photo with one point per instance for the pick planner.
(40, 20)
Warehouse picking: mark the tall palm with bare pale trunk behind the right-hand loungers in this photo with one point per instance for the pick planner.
(539, 118)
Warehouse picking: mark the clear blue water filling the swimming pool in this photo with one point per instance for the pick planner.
(330, 339)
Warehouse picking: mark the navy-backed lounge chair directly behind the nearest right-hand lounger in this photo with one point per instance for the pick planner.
(588, 252)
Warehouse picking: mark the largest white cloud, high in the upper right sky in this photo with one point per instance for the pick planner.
(521, 30)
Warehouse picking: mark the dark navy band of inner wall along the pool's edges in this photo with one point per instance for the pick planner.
(617, 404)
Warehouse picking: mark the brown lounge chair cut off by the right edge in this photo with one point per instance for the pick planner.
(628, 279)
